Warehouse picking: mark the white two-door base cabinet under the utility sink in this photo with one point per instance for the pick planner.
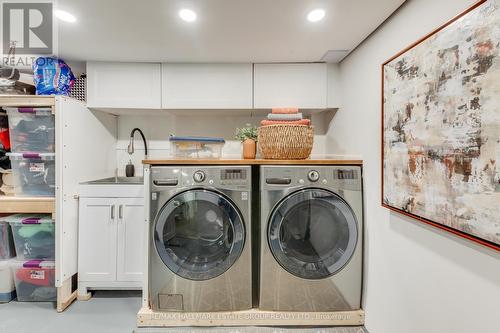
(110, 251)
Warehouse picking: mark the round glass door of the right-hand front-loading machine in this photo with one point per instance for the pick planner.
(312, 233)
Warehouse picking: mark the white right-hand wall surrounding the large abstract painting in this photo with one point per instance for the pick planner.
(417, 278)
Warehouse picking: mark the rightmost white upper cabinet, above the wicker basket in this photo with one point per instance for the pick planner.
(290, 85)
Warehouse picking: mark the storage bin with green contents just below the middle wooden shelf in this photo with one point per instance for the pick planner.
(34, 236)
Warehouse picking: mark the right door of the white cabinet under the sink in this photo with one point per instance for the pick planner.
(130, 257)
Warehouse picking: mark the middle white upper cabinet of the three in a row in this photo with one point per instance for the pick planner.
(207, 86)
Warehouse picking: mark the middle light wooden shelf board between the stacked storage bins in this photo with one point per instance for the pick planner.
(27, 204)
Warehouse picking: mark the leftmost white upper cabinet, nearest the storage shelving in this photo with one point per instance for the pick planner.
(123, 85)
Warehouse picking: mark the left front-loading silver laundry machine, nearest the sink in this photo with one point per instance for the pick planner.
(200, 238)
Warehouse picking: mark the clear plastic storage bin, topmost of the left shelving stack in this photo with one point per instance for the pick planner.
(31, 129)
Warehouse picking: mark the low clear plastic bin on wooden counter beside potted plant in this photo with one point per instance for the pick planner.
(196, 147)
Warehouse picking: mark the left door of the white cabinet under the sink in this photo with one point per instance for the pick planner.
(97, 239)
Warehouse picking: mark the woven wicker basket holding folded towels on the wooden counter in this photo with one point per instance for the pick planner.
(285, 142)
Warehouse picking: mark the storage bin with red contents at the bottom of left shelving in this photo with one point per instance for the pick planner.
(35, 280)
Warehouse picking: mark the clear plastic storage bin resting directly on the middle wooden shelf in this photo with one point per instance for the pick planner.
(34, 174)
